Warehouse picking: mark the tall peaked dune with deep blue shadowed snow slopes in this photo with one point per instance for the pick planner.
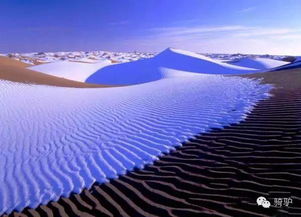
(147, 70)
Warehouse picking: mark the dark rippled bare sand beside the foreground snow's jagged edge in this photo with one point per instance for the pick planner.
(218, 173)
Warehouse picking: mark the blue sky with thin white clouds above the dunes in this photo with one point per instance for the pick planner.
(205, 26)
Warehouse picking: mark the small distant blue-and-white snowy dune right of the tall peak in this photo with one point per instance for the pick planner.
(258, 63)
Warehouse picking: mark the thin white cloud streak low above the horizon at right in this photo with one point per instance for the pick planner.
(227, 39)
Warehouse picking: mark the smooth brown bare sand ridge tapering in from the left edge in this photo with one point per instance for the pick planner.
(13, 70)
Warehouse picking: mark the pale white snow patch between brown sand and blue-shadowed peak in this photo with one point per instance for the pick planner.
(76, 71)
